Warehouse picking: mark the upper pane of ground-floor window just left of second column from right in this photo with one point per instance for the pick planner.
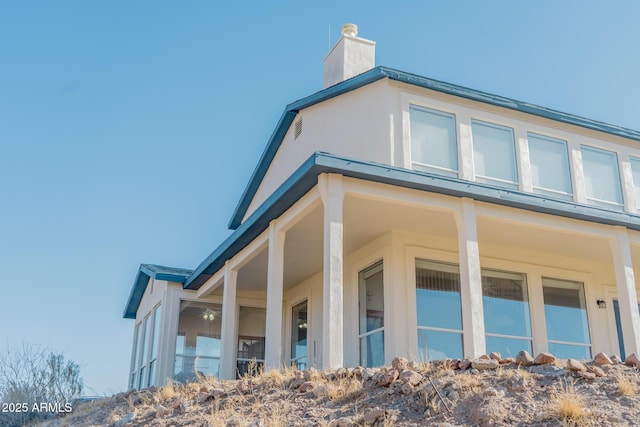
(438, 295)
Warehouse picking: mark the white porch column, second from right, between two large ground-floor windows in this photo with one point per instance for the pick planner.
(470, 280)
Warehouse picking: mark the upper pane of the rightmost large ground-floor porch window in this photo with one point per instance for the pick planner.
(565, 311)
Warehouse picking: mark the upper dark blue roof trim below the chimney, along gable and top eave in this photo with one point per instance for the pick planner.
(383, 72)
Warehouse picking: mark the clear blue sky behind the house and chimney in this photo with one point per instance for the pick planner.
(128, 129)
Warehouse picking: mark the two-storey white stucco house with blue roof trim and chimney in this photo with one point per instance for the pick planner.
(395, 215)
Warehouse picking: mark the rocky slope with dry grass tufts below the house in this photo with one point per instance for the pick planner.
(485, 391)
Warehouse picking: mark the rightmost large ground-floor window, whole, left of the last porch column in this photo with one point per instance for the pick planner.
(565, 311)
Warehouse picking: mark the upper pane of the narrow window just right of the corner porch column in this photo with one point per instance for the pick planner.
(371, 298)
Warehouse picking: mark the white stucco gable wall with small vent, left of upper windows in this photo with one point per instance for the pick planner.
(358, 124)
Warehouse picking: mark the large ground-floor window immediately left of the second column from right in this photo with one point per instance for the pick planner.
(439, 310)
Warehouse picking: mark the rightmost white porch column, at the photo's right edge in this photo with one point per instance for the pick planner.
(626, 285)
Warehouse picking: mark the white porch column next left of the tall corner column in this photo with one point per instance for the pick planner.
(275, 275)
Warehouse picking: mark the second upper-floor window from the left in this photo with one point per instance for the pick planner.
(494, 154)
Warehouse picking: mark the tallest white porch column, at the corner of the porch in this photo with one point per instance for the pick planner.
(332, 193)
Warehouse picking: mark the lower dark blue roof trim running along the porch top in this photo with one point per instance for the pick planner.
(306, 177)
